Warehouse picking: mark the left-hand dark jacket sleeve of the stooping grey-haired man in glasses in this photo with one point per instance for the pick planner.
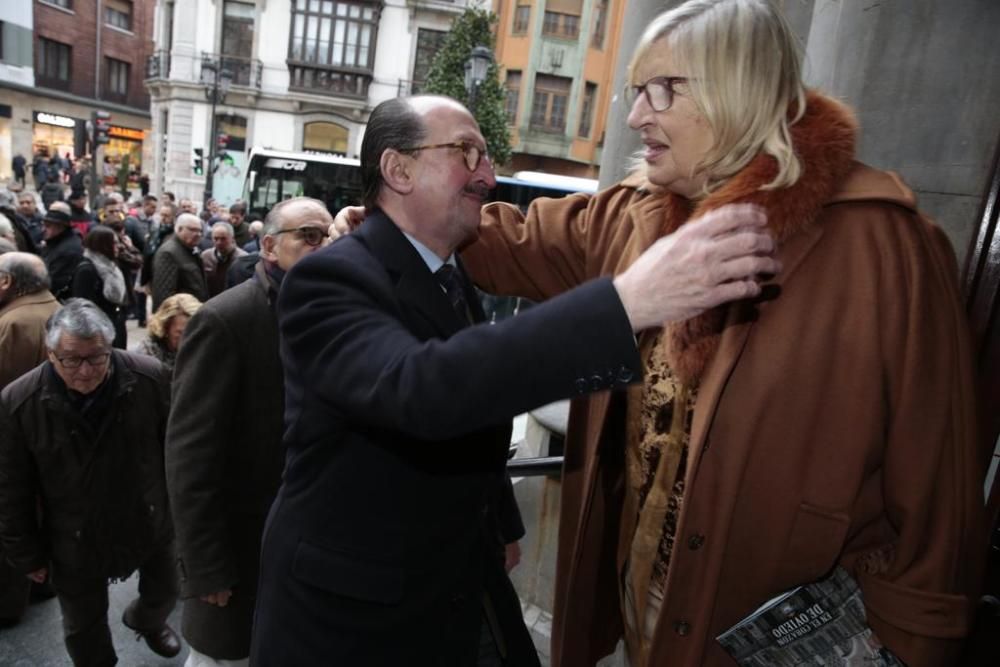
(20, 534)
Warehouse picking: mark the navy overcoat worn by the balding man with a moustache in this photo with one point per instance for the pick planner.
(396, 422)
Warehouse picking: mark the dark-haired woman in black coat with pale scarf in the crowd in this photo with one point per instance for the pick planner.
(99, 279)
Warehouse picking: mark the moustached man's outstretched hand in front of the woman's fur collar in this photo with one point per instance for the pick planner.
(719, 257)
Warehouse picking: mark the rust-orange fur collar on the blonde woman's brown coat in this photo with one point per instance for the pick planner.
(824, 142)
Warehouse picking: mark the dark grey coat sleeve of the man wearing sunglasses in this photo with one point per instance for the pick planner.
(198, 441)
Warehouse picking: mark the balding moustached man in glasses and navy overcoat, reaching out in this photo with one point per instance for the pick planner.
(397, 411)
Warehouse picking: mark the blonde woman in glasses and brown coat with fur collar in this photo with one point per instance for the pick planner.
(828, 423)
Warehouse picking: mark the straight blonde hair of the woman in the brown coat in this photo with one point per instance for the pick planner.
(744, 69)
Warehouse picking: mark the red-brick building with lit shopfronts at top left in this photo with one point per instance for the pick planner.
(84, 55)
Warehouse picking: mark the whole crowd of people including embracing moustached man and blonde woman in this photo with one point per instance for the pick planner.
(762, 337)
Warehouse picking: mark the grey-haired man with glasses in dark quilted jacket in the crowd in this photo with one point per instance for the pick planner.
(177, 264)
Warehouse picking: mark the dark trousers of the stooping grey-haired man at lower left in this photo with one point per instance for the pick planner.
(84, 604)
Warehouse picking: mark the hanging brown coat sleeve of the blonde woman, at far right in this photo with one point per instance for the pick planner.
(921, 597)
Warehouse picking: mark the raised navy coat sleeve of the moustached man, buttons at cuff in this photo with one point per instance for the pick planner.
(344, 338)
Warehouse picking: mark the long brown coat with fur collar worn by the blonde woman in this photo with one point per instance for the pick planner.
(834, 419)
